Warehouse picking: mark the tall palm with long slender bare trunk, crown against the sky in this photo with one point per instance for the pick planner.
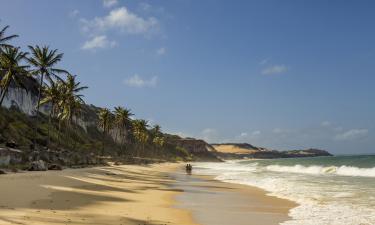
(44, 61)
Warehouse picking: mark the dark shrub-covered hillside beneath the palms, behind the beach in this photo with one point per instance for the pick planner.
(83, 142)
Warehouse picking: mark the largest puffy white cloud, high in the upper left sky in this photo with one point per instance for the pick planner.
(121, 19)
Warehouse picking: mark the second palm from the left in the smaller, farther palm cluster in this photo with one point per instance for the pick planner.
(122, 122)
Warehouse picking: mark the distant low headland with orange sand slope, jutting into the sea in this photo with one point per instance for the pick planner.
(240, 151)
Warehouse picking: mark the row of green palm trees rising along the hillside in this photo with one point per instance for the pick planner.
(63, 95)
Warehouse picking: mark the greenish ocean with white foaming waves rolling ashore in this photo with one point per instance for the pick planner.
(329, 190)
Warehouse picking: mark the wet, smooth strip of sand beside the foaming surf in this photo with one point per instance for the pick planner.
(215, 202)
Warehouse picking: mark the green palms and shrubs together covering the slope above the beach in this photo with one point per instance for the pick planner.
(70, 124)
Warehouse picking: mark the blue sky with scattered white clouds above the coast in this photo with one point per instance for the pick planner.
(278, 74)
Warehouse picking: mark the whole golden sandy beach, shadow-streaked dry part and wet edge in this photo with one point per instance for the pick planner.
(157, 194)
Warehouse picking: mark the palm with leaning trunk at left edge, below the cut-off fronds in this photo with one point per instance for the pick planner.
(14, 72)
